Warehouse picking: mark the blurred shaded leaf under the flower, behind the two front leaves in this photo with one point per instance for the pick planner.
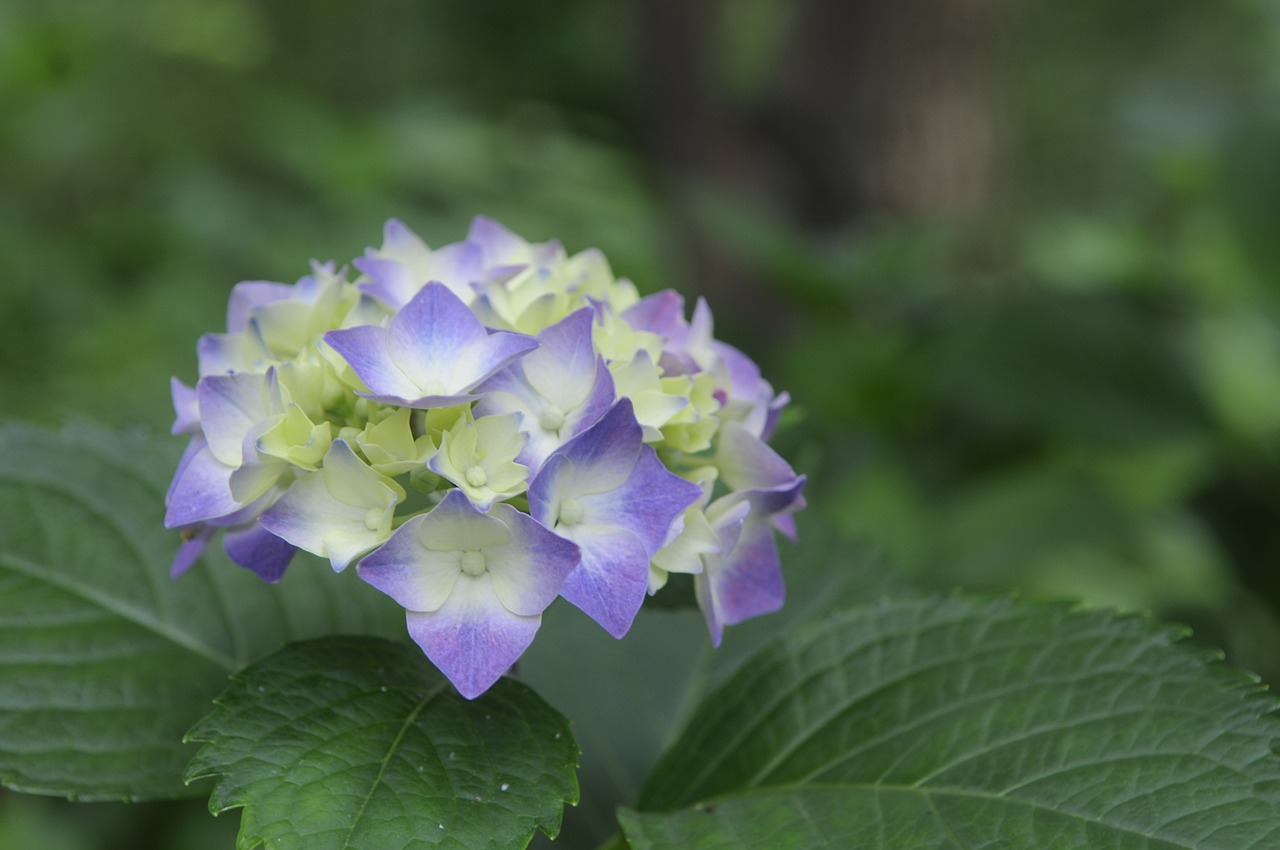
(628, 698)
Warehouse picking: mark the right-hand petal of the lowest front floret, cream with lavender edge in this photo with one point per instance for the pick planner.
(529, 572)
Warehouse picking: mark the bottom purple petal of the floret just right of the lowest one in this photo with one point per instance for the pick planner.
(612, 581)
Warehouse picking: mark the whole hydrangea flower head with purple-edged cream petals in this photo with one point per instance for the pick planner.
(486, 427)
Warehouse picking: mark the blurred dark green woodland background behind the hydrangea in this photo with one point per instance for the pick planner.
(1018, 262)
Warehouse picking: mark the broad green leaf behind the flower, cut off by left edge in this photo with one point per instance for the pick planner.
(106, 662)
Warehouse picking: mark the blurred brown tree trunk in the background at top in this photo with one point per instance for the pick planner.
(875, 108)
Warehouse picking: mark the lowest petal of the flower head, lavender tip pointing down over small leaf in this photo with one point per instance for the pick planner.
(473, 639)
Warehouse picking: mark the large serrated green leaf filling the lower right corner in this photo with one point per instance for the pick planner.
(958, 724)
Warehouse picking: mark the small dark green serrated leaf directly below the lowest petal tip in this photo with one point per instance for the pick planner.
(349, 743)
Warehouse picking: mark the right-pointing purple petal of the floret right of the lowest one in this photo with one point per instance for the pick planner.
(647, 504)
